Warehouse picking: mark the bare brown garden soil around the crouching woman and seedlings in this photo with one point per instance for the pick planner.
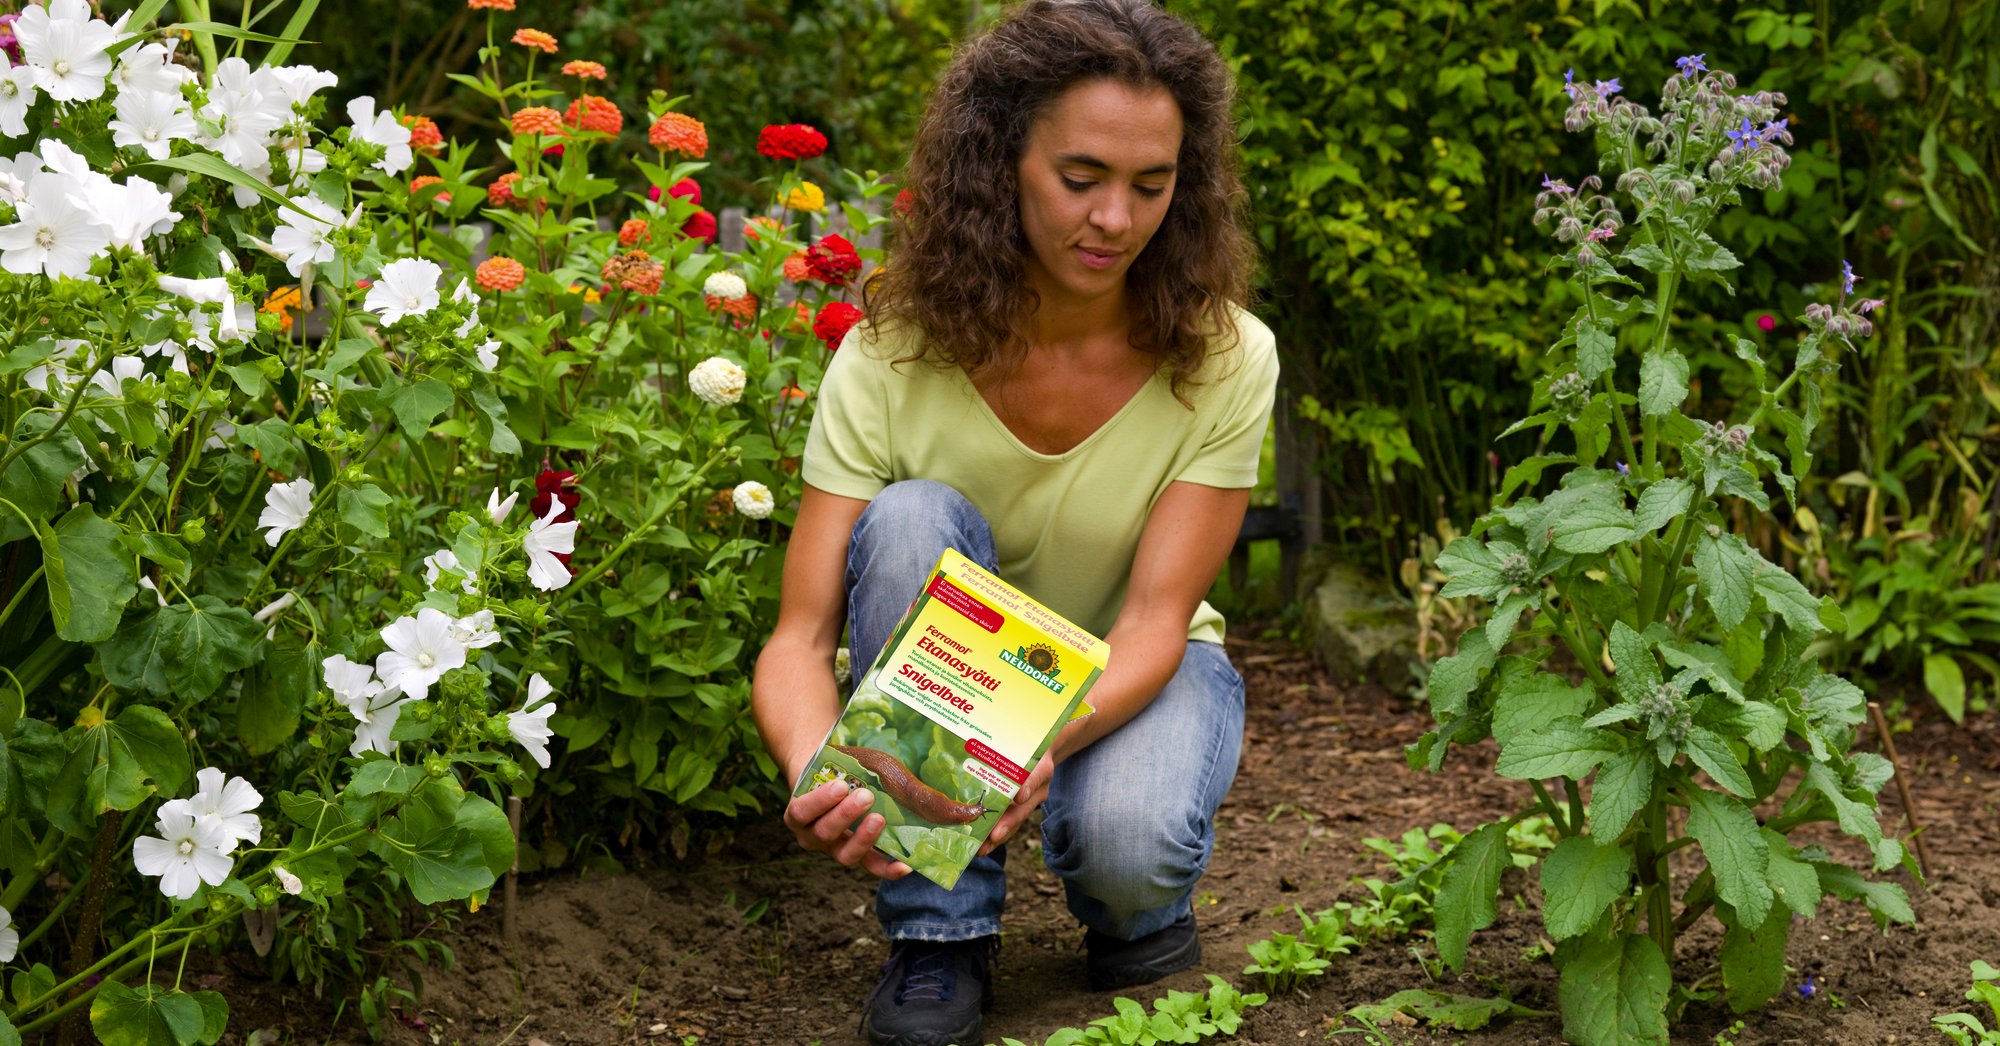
(763, 945)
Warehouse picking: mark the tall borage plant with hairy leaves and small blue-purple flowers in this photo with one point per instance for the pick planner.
(1699, 719)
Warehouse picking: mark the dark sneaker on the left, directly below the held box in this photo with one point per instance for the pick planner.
(931, 993)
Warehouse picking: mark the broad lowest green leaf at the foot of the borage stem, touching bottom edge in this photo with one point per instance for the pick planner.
(1615, 993)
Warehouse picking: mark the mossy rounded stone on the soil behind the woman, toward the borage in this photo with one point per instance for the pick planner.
(1363, 631)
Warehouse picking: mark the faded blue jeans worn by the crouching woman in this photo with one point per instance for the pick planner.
(1129, 821)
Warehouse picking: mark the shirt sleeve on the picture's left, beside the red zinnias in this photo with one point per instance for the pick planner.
(847, 447)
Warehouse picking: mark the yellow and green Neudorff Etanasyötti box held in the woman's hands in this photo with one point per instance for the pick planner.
(965, 699)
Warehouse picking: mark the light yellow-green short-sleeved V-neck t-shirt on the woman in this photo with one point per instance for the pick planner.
(1067, 525)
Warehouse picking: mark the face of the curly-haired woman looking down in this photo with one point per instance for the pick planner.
(1097, 175)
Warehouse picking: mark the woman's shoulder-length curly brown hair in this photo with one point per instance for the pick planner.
(959, 263)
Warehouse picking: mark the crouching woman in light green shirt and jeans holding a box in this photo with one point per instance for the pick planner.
(1061, 383)
